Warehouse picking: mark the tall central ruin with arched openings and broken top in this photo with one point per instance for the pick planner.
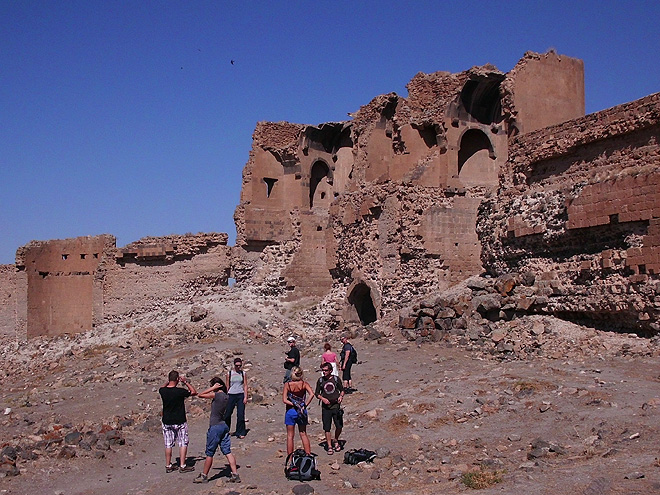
(386, 203)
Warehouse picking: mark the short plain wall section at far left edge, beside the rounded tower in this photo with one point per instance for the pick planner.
(13, 300)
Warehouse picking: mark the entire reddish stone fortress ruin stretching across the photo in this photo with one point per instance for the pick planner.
(480, 173)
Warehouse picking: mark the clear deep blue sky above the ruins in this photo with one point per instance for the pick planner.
(128, 118)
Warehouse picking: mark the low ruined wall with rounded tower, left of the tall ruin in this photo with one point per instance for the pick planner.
(70, 285)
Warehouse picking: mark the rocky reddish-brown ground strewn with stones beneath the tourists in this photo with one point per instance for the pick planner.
(81, 413)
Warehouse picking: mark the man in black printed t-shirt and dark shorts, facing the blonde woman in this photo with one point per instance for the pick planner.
(330, 391)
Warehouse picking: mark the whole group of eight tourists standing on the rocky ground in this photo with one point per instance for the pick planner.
(297, 394)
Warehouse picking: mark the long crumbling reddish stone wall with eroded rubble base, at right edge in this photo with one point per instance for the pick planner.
(579, 207)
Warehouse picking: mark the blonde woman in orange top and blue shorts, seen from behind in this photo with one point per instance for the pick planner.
(297, 395)
